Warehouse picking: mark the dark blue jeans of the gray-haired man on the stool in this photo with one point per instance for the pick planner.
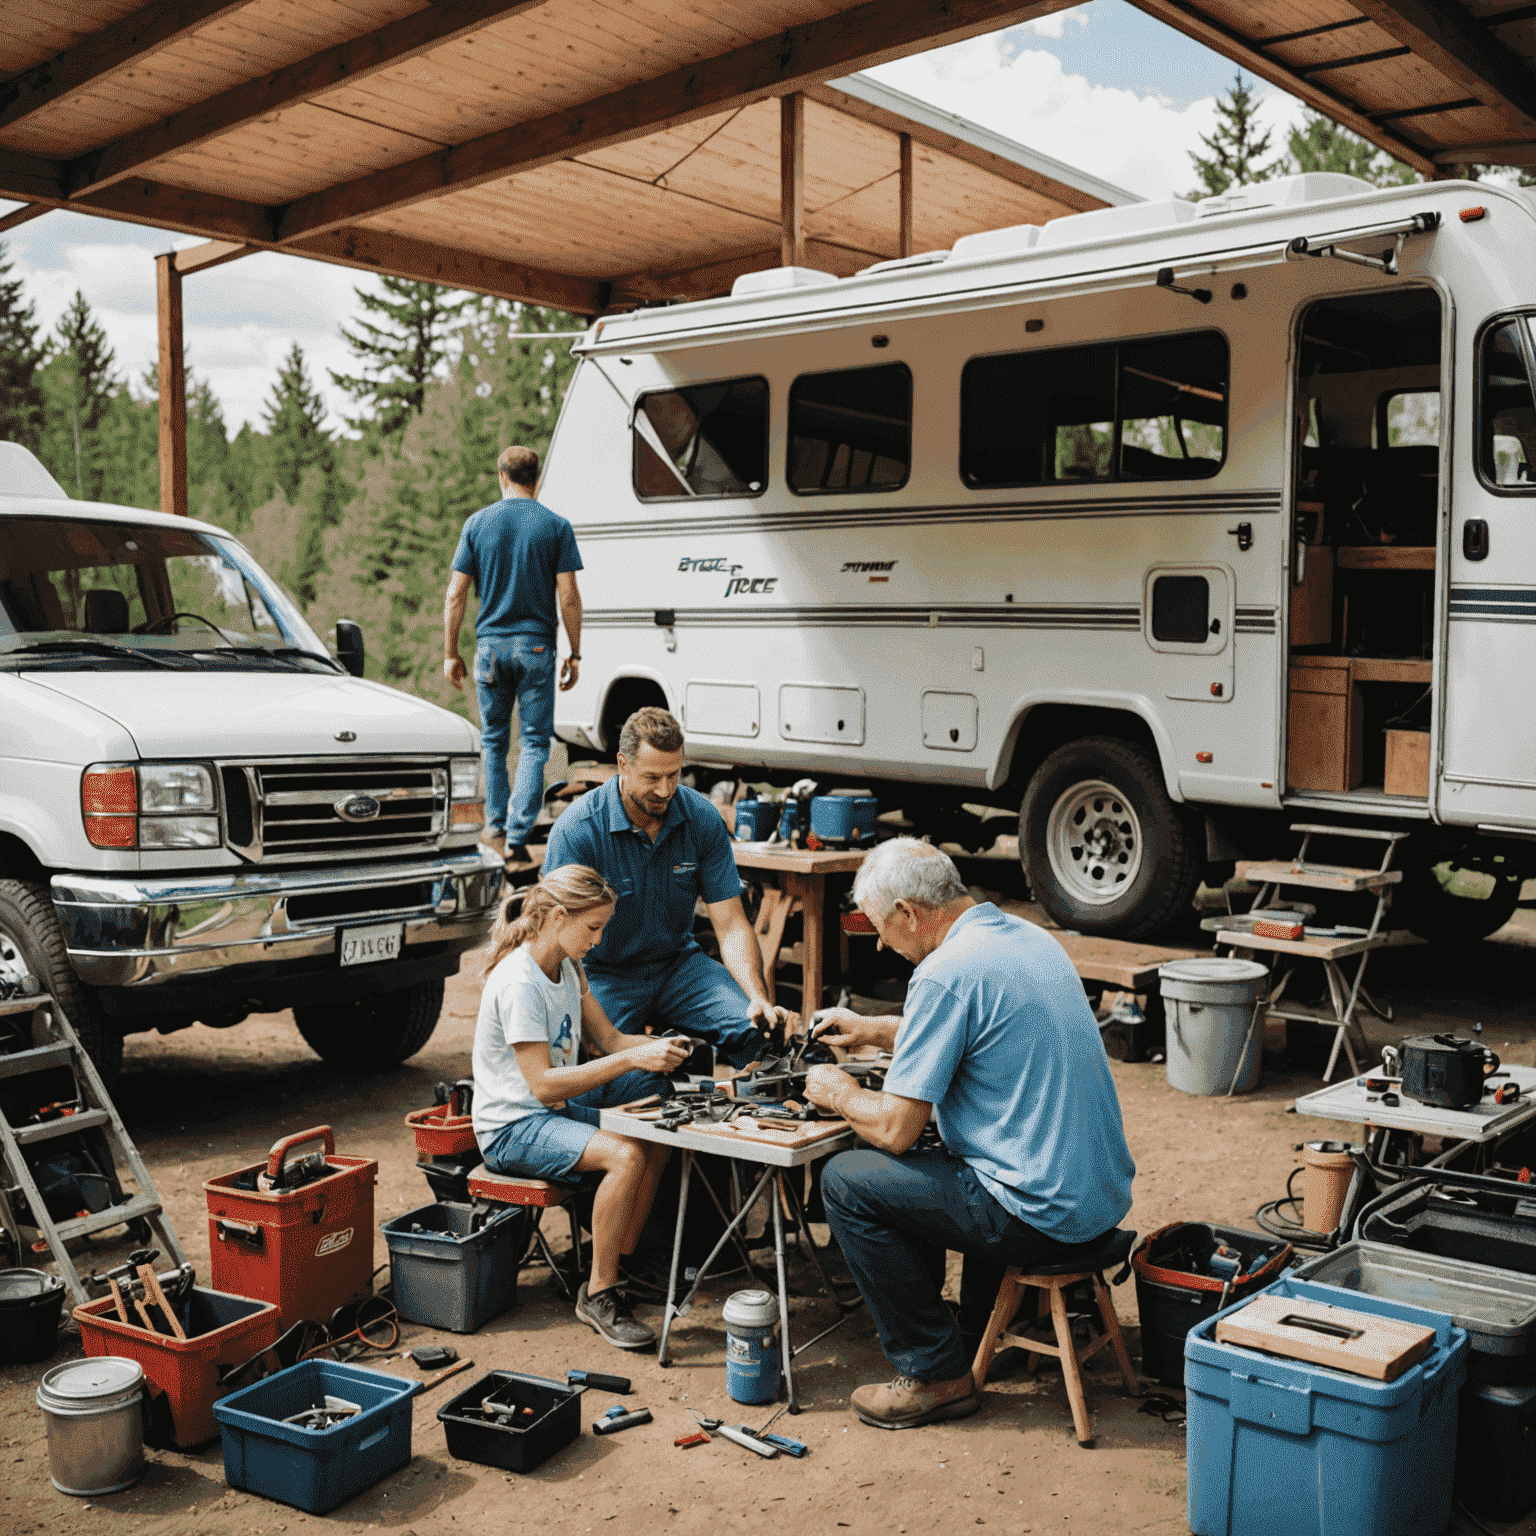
(893, 1219)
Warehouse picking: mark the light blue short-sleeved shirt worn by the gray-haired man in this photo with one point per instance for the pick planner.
(999, 1038)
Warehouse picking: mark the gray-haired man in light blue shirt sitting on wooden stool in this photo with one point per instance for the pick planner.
(999, 1045)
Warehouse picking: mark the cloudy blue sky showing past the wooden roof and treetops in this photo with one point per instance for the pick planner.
(1102, 87)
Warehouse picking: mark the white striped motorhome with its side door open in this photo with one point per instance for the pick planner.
(1167, 525)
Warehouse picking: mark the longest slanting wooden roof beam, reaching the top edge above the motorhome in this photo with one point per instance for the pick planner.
(869, 35)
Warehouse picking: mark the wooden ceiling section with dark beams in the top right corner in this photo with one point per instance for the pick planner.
(1438, 84)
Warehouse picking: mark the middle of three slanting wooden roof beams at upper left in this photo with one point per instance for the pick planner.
(346, 64)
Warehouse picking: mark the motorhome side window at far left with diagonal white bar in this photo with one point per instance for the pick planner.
(704, 440)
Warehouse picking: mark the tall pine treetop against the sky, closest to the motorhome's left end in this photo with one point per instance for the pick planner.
(402, 353)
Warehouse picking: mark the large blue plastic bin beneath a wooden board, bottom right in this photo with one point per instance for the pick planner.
(1289, 1449)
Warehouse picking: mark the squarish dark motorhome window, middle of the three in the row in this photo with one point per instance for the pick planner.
(852, 429)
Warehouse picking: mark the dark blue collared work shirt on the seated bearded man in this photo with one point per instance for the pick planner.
(660, 882)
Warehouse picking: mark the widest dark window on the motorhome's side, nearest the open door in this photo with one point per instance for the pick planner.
(1130, 411)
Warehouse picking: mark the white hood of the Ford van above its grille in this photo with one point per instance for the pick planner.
(262, 715)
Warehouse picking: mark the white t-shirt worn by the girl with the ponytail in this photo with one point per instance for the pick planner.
(518, 1007)
